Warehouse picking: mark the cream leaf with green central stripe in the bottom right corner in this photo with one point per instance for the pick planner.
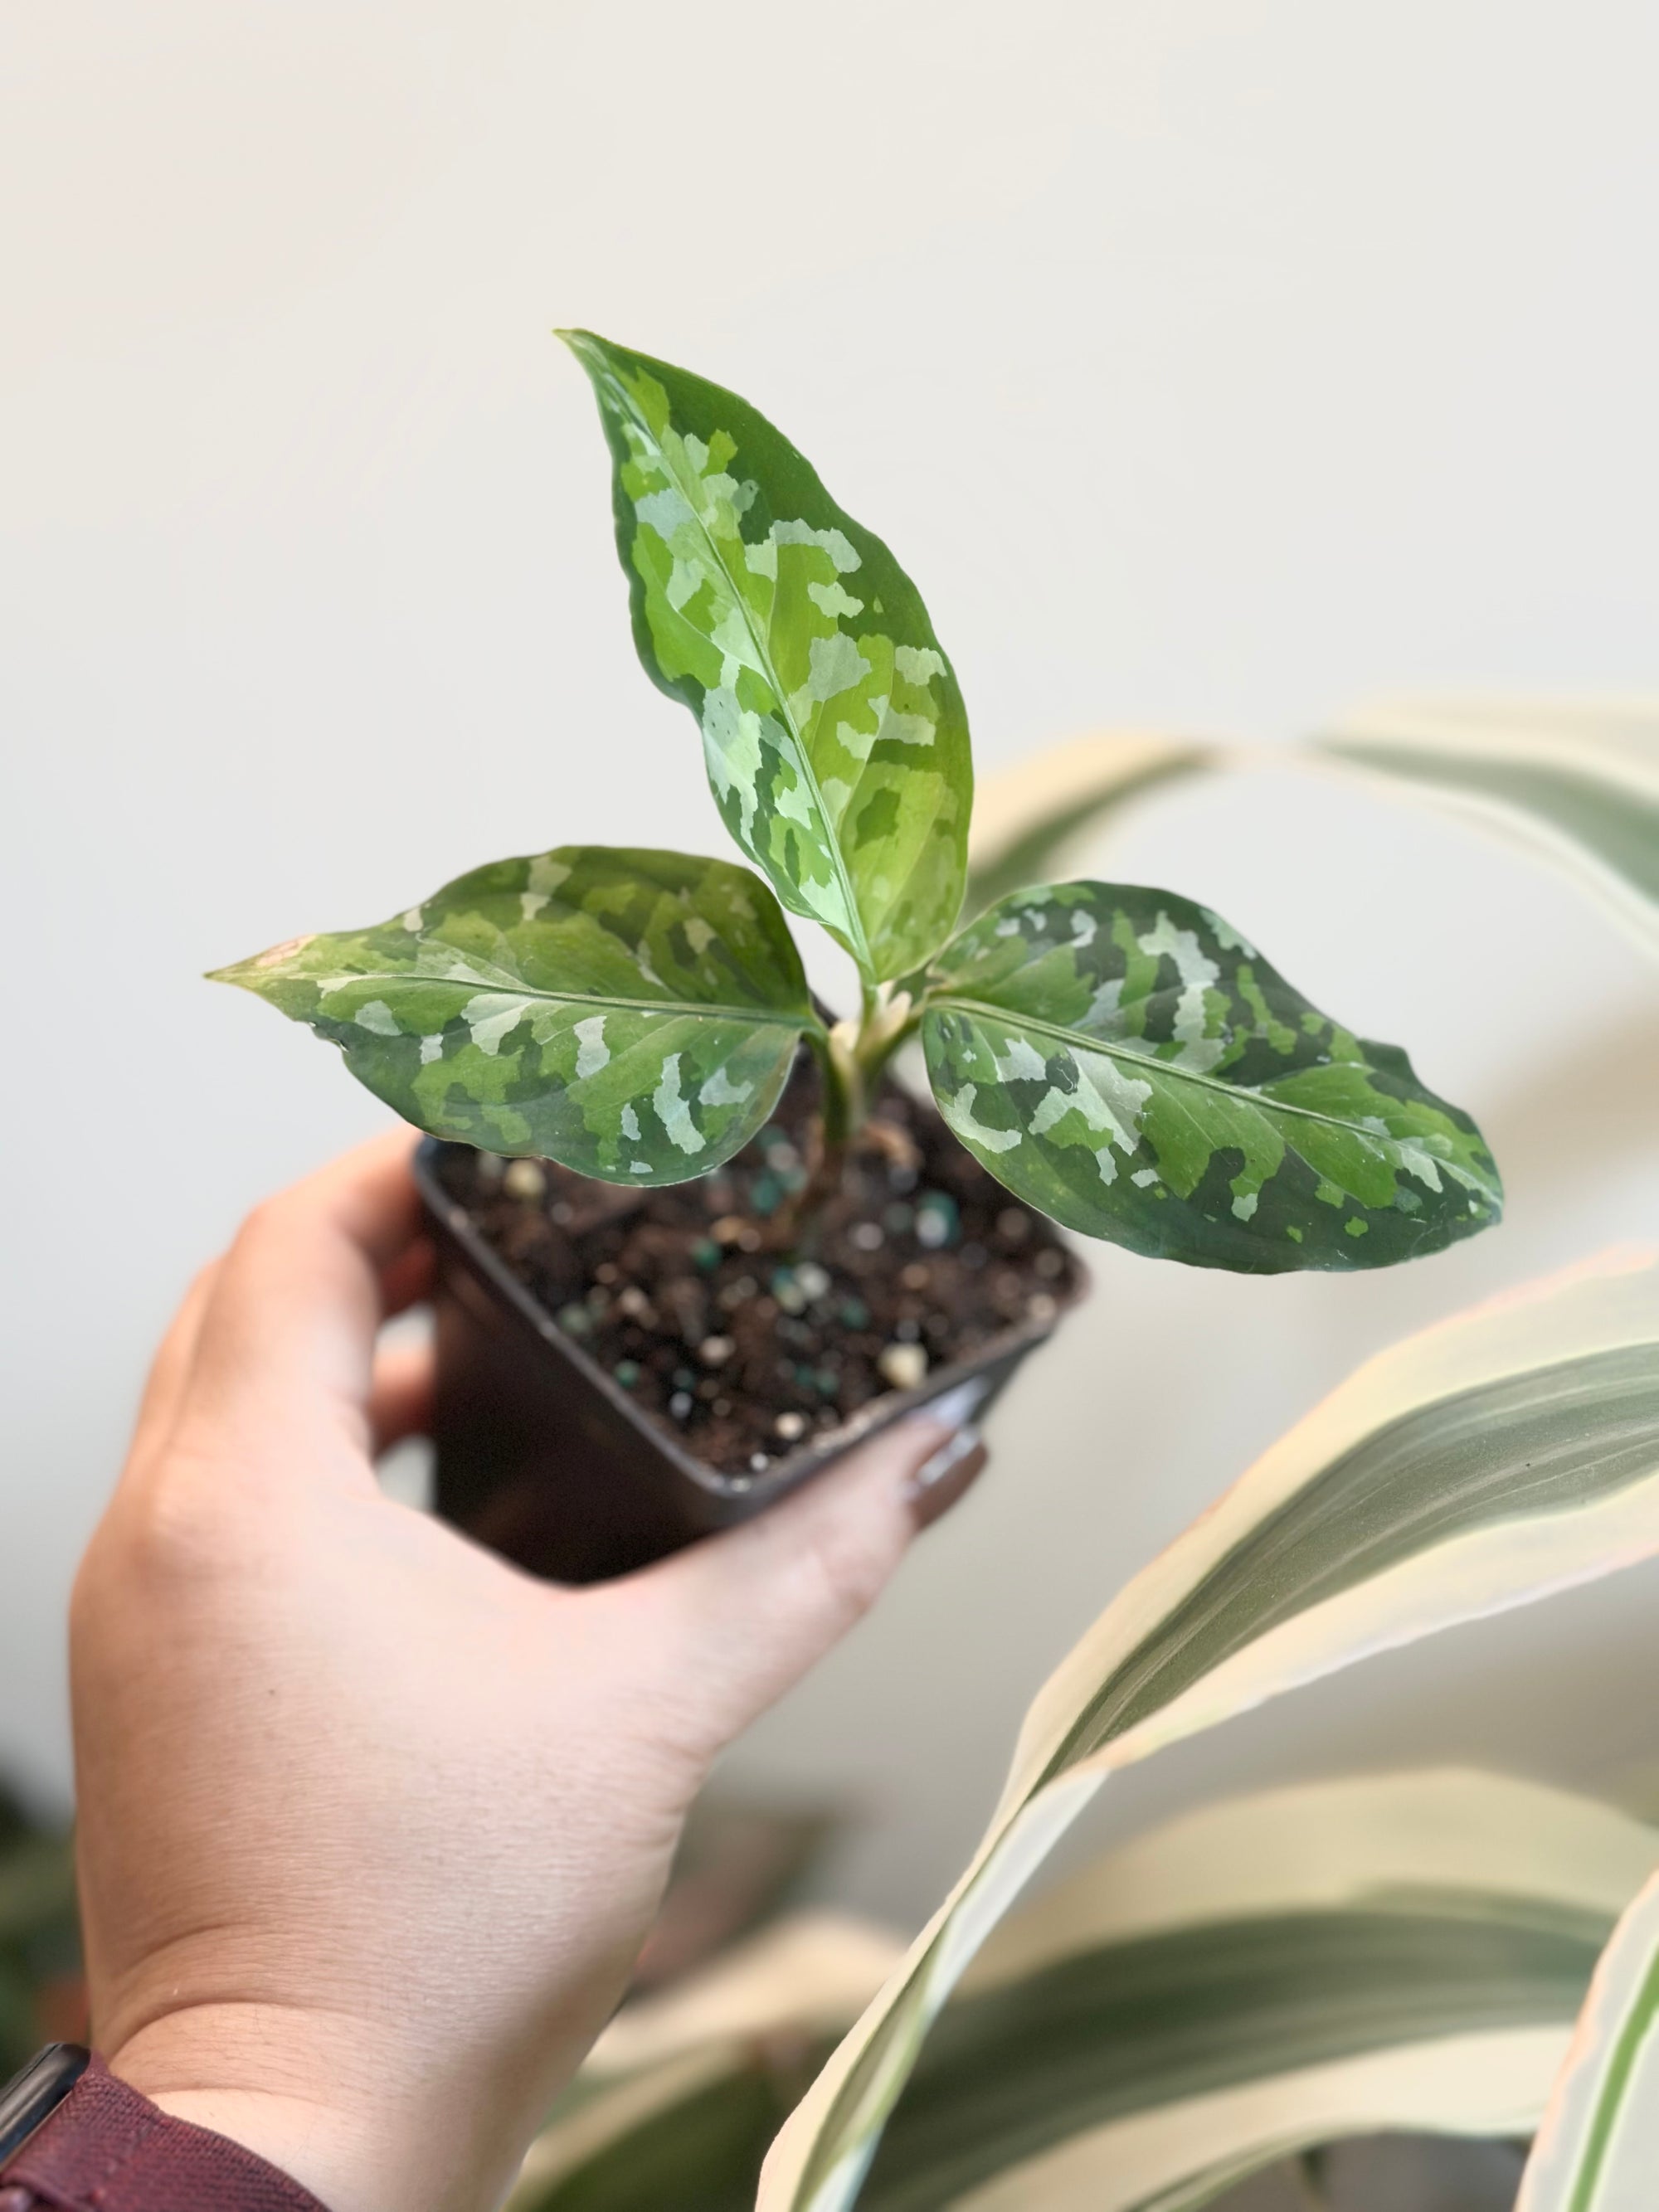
(1598, 2149)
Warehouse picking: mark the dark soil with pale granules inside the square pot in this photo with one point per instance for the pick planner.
(747, 1337)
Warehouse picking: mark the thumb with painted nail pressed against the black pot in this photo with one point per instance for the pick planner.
(740, 1618)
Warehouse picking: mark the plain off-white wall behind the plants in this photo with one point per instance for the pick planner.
(1209, 366)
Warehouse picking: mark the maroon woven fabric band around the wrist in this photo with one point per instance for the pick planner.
(112, 2151)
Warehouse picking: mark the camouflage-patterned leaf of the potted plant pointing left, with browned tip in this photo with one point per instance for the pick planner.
(629, 1014)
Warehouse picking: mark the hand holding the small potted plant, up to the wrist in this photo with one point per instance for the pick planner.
(373, 1824)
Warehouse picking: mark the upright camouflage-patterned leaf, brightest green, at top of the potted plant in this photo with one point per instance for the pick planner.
(833, 727)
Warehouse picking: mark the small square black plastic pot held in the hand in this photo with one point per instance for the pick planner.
(547, 1461)
